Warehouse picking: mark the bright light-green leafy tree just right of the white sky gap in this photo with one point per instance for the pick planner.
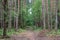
(37, 9)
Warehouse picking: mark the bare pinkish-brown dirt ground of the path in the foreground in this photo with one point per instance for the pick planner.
(33, 35)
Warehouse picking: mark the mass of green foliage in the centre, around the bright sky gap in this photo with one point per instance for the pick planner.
(36, 13)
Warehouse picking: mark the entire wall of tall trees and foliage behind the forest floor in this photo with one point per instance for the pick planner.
(29, 14)
